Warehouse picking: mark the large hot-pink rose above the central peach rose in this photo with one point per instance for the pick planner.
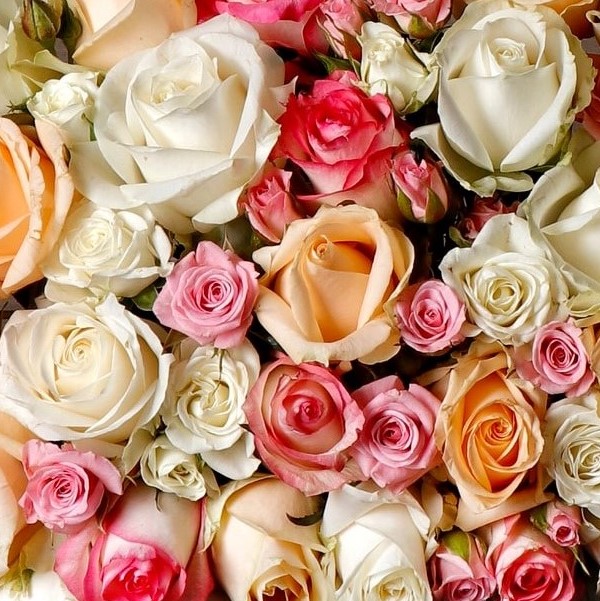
(343, 141)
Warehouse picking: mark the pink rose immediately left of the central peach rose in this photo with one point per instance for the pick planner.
(209, 296)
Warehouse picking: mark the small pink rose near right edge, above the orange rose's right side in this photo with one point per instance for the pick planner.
(556, 360)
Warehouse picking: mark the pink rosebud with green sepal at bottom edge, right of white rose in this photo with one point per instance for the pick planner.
(458, 571)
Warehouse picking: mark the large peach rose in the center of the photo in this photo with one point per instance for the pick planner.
(343, 252)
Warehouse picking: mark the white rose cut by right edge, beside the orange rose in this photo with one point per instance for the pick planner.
(572, 451)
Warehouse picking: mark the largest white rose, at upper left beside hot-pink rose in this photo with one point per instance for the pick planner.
(218, 90)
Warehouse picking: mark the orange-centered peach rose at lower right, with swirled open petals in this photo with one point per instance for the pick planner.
(489, 432)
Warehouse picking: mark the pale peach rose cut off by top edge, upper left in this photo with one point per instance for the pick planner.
(113, 31)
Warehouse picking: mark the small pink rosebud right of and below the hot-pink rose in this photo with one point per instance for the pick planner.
(421, 188)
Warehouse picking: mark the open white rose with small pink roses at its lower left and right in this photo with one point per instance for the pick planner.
(508, 284)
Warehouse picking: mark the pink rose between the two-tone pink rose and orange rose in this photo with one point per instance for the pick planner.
(396, 445)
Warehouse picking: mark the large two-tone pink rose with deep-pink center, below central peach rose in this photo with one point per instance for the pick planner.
(304, 422)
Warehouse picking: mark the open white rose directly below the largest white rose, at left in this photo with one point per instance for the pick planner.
(101, 251)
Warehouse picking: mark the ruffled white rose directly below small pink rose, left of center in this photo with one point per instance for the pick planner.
(203, 411)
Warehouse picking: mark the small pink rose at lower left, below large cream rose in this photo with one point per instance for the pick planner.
(65, 487)
